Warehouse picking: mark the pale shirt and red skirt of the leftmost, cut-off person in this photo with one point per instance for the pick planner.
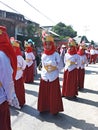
(5, 91)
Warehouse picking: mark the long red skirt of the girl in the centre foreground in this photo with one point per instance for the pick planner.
(49, 98)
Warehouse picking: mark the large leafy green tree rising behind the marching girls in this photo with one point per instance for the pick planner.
(64, 31)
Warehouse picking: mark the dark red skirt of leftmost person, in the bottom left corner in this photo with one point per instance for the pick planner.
(5, 122)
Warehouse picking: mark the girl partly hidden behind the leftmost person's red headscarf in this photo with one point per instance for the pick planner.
(19, 79)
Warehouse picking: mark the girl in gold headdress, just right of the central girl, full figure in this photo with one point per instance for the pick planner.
(69, 88)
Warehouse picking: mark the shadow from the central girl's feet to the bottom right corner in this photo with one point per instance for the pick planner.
(67, 122)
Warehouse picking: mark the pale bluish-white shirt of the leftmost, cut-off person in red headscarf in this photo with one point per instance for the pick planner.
(6, 71)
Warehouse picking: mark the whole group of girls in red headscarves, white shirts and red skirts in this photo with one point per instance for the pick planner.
(17, 69)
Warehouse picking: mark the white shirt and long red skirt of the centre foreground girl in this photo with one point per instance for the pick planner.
(49, 97)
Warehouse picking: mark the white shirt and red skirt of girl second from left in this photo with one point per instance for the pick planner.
(19, 80)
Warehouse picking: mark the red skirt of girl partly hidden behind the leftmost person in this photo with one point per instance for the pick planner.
(20, 91)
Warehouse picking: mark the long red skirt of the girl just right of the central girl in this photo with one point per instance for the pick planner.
(70, 84)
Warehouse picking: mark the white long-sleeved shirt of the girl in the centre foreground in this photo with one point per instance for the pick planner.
(53, 60)
